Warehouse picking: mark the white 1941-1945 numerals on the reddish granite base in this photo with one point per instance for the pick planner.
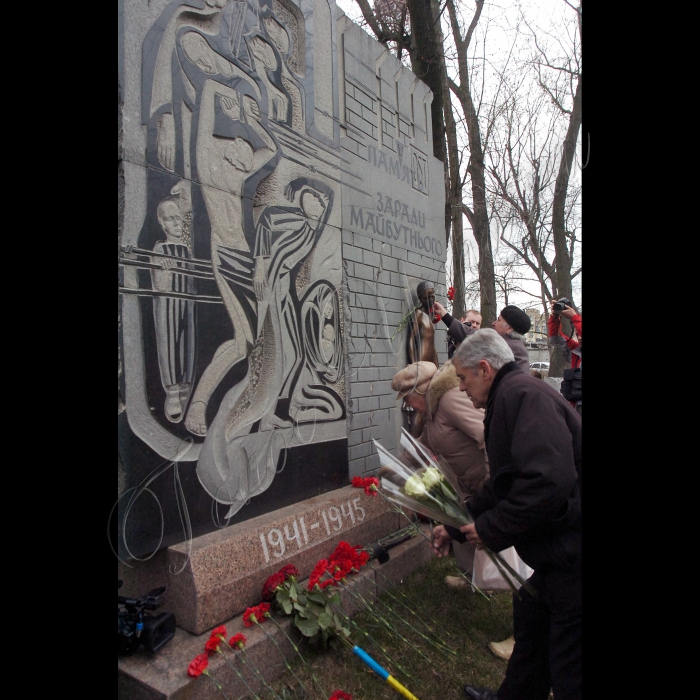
(331, 522)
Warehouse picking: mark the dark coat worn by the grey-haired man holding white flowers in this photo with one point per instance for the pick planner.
(532, 499)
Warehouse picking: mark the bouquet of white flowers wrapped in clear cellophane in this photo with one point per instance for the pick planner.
(431, 489)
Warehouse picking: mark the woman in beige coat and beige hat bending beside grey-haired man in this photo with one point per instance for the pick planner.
(453, 429)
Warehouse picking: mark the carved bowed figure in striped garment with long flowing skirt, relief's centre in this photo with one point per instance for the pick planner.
(229, 469)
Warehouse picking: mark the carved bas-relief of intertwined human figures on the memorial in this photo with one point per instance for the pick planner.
(230, 296)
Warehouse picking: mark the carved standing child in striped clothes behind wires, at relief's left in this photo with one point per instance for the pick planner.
(174, 317)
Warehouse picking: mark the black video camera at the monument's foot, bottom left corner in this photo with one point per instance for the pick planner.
(137, 627)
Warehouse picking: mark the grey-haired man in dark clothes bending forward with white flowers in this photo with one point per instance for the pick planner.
(532, 501)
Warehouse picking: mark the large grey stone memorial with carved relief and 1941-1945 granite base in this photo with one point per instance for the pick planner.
(279, 203)
